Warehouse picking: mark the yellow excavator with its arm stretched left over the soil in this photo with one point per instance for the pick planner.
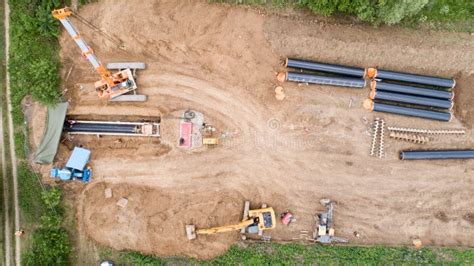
(254, 221)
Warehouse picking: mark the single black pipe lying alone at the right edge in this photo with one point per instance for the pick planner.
(437, 154)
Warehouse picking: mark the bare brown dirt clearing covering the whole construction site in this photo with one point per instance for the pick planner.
(216, 128)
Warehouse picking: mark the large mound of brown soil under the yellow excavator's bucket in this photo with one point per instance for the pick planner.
(153, 221)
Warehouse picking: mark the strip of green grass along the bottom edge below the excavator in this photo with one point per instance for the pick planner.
(298, 254)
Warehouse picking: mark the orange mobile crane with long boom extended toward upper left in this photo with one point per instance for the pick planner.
(111, 85)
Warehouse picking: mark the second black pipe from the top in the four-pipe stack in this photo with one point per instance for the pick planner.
(391, 87)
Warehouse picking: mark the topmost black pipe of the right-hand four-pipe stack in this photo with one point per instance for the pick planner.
(412, 78)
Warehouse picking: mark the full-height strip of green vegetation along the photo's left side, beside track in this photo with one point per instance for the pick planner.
(34, 70)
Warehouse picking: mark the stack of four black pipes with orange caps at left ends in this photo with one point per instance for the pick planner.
(412, 95)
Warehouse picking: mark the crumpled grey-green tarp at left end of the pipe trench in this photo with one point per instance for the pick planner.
(52, 134)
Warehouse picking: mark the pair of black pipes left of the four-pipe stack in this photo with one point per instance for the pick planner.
(324, 74)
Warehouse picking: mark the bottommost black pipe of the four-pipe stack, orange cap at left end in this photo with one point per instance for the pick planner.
(387, 108)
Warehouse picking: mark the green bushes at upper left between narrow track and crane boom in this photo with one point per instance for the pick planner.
(34, 59)
